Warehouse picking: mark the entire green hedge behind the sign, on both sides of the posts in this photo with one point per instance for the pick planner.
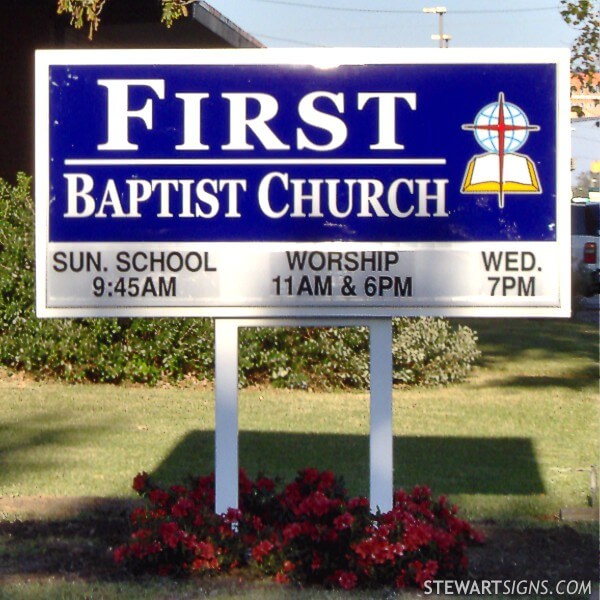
(426, 351)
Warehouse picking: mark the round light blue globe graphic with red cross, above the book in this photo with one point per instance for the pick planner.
(489, 139)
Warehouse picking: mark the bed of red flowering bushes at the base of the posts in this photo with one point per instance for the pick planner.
(310, 532)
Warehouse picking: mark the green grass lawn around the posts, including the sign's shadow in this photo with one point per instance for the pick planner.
(514, 442)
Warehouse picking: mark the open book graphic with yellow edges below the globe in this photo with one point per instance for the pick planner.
(518, 174)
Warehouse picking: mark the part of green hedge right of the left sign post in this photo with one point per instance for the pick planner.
(426, 351)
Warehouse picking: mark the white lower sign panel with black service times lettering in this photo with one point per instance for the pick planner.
(290, 279)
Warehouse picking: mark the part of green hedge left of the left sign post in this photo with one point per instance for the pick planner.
(99, 350)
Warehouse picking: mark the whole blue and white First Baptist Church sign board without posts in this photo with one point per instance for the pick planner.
(296, 183)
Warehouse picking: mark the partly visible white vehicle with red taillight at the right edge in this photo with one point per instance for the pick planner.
(585, 246)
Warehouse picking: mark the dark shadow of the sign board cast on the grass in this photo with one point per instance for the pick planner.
(449, 465)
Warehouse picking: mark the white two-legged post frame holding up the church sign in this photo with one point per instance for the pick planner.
(226, 390)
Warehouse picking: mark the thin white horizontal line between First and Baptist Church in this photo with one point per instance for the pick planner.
(73, 162)
